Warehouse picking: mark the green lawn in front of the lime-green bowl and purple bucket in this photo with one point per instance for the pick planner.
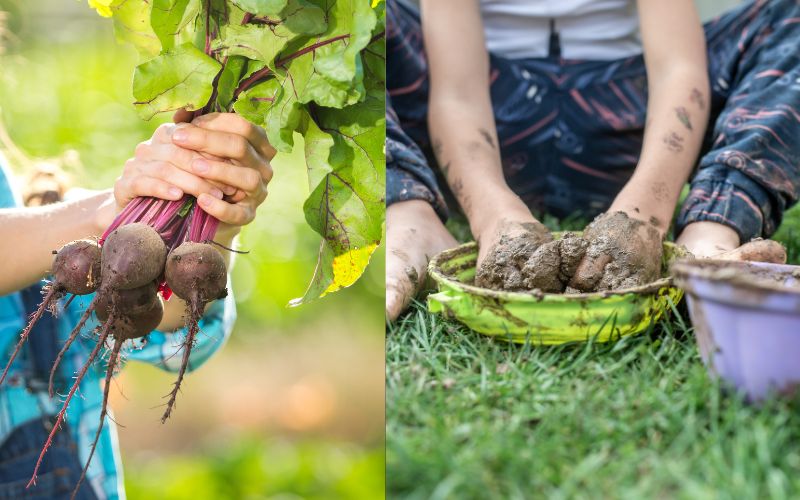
(470, 417)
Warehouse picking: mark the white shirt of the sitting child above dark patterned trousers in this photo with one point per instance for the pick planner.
(588, 29)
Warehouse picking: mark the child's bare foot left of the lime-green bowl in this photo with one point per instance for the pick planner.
(414, 234)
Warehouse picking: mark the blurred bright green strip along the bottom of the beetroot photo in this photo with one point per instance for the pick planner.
(253, 470)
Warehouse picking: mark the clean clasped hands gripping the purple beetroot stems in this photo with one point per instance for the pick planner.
(220, 158)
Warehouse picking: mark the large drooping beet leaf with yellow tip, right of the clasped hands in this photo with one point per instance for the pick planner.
(346, 207)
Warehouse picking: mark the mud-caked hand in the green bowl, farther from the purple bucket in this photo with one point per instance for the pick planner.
(504, 251)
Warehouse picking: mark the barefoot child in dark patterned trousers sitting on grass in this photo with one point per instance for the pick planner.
(590, 108)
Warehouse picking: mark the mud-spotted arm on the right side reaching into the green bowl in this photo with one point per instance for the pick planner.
(677, 114)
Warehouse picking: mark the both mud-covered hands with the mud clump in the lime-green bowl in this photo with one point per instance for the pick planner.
(531, 260)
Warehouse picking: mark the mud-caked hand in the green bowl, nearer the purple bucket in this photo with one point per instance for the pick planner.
(623, 252)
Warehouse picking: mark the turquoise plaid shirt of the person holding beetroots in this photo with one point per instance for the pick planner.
(18, 404)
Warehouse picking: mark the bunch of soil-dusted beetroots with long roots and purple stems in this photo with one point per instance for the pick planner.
(153, 248)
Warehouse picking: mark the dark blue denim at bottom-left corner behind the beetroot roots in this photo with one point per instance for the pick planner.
(58, 473)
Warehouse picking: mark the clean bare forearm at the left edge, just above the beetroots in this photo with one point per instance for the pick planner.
(28, 236)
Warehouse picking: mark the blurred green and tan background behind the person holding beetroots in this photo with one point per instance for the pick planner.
(294, 405)
